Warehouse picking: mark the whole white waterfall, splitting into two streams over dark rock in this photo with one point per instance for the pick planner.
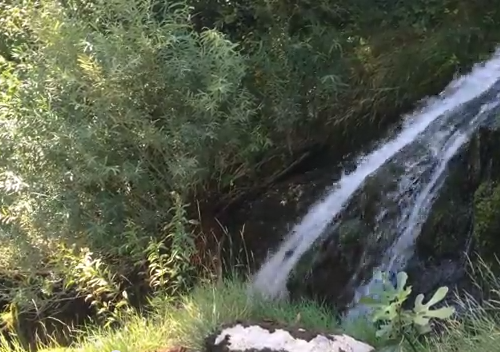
(422, 149)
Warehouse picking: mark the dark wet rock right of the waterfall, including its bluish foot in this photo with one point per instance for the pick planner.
(464, 220)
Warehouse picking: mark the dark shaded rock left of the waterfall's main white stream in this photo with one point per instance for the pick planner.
(265, 221)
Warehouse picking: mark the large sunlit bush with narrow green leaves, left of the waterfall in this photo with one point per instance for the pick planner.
(109, 120)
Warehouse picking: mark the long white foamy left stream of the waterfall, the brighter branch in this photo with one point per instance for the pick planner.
(271, 279)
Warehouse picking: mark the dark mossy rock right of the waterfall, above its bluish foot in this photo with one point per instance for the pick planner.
(461, 207)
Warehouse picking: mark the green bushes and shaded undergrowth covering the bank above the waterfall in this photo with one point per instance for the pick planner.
(116, 115)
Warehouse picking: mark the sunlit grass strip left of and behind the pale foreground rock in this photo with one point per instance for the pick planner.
(186, 323)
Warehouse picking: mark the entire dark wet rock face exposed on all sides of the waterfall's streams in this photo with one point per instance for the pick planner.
(465, 217)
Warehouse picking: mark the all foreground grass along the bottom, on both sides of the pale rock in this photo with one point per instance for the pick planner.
(168, 325)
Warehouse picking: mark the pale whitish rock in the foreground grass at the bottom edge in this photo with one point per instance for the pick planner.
(264, 337)
